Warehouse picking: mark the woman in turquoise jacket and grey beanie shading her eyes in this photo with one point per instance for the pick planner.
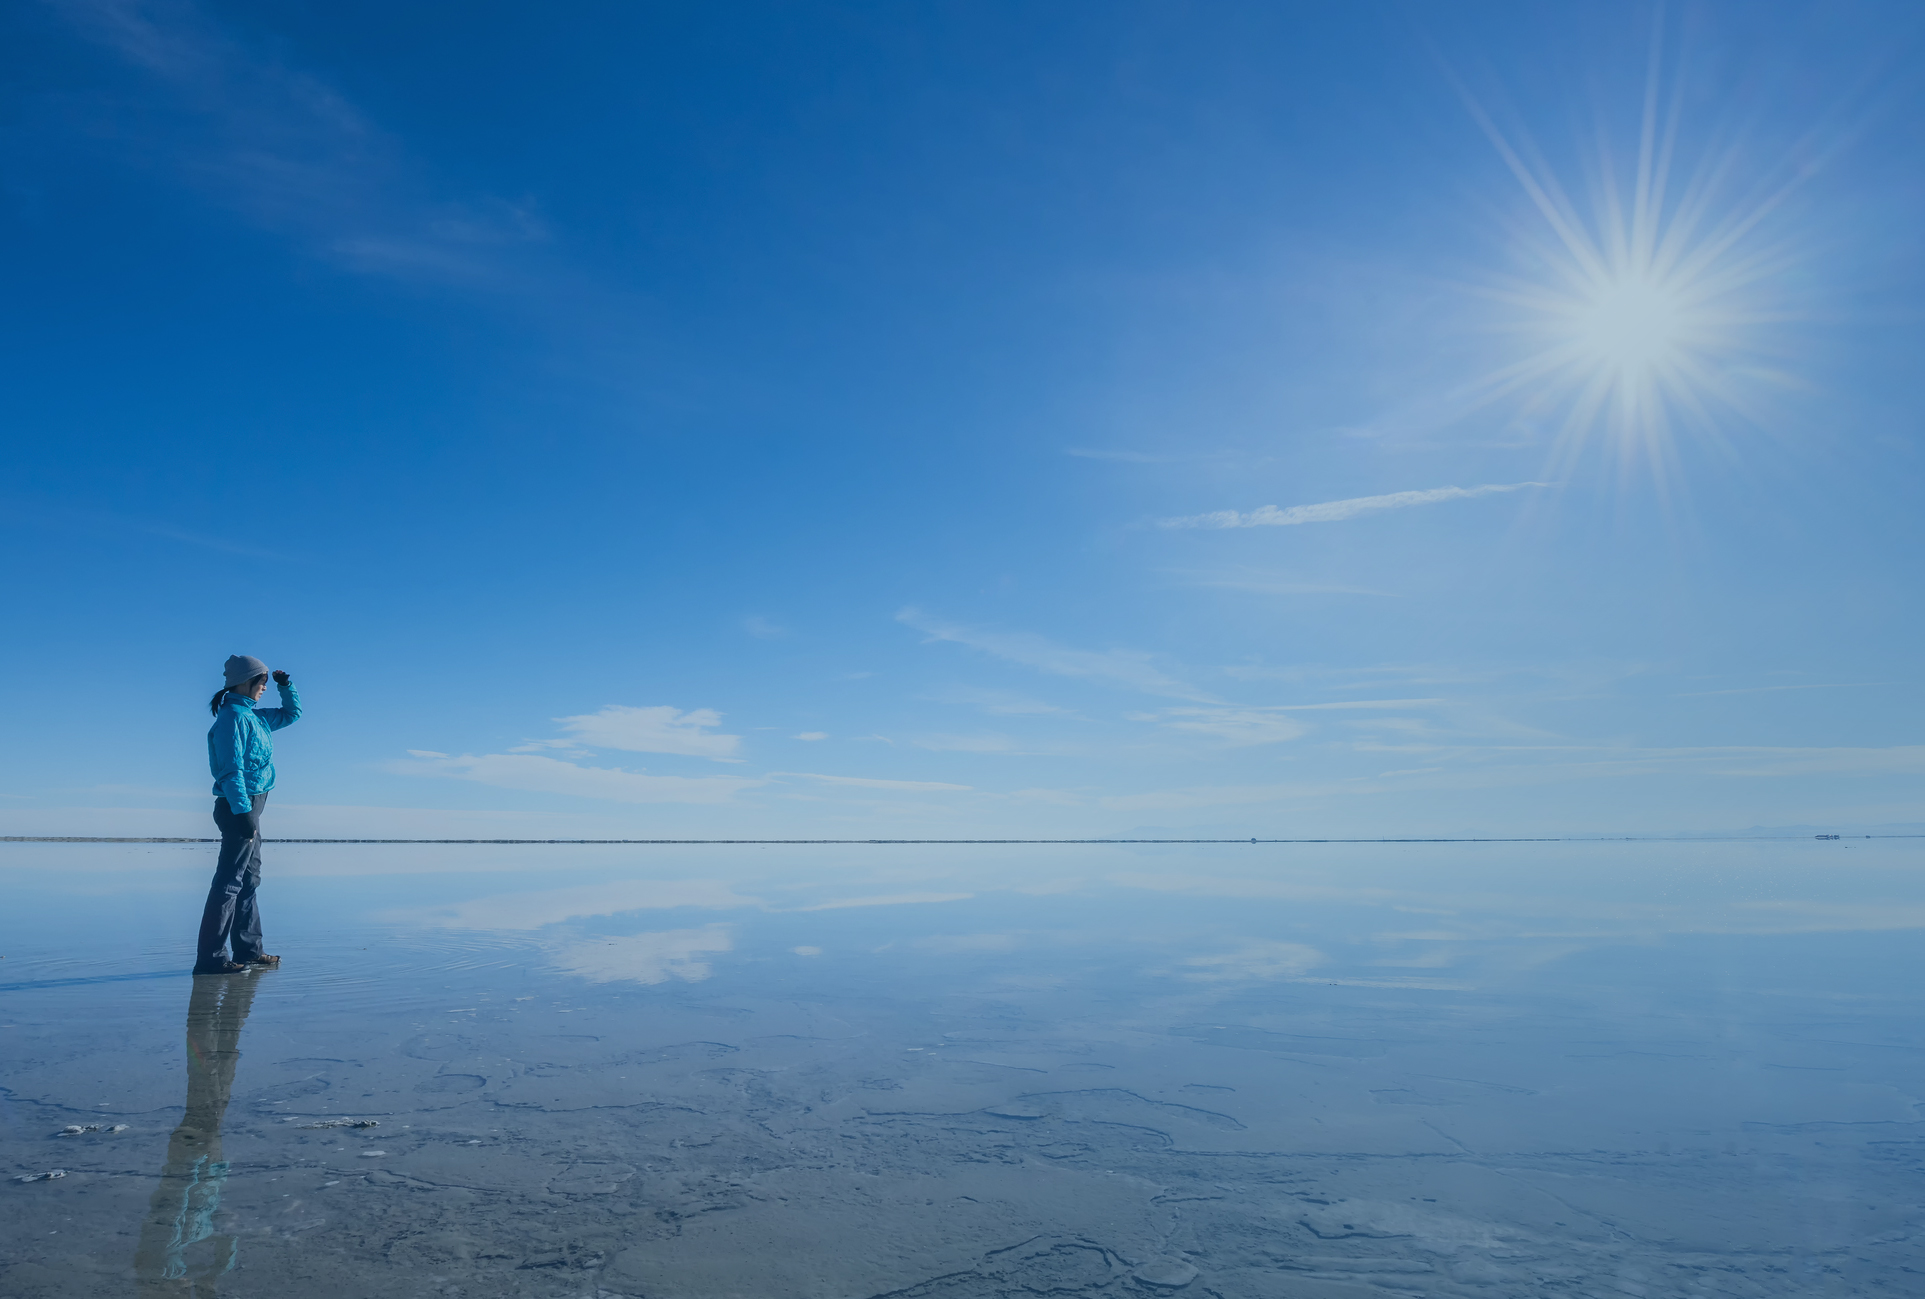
(242, 757)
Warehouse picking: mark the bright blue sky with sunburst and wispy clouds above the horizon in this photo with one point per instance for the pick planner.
(967, 419)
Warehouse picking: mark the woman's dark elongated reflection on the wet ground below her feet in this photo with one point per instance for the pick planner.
(180, 1254)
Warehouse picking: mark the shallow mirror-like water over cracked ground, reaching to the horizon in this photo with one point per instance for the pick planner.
(956, 1073)
